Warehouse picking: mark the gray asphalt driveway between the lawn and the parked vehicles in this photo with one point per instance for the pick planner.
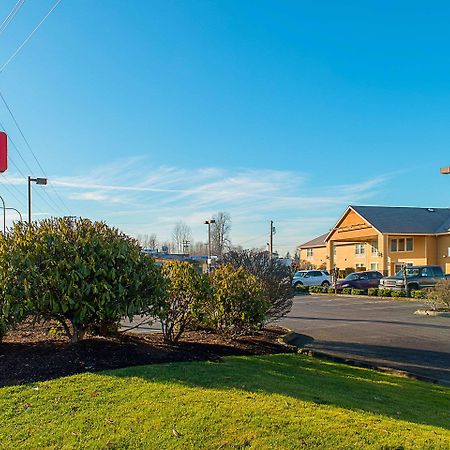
(381, 332)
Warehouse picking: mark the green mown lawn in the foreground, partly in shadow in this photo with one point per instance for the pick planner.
(277, 401)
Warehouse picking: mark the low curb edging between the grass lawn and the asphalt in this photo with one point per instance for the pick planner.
(292, 335)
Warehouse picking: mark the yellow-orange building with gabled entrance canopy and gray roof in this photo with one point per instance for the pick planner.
(383, 238)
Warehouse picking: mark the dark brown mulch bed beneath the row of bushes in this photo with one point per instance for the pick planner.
(35, 352)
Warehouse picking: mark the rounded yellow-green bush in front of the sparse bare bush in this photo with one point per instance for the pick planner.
(239, 303)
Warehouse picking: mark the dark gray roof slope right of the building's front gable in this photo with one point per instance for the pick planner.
(402, 219)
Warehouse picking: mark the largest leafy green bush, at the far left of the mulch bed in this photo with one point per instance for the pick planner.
(80, 273)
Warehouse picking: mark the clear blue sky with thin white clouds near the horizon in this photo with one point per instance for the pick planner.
(144, 113)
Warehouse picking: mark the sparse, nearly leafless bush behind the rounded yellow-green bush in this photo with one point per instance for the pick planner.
(274, 275)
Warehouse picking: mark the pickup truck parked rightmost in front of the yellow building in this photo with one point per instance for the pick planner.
(417, 277)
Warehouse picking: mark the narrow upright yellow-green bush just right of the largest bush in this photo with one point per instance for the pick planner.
(185, 291)
